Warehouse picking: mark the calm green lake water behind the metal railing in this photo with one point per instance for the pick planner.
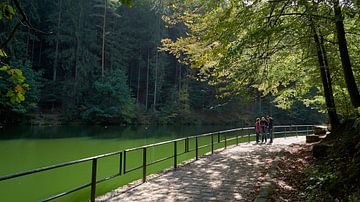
(26, 148)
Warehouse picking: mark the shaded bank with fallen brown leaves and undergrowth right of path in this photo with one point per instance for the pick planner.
(326, 171)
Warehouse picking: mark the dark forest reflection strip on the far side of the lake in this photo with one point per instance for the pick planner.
(101, 132)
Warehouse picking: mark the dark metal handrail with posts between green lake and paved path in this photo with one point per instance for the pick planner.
(122, 156)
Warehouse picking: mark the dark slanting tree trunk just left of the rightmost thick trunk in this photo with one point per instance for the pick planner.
(325, 78)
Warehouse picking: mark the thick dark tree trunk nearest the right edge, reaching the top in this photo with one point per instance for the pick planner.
(345, 58)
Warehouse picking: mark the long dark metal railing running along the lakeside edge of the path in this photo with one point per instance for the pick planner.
(216, 138)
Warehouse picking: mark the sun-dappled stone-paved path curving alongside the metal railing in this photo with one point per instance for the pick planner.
(227, 175)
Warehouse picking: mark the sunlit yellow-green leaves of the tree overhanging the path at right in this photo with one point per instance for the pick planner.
(232, 45)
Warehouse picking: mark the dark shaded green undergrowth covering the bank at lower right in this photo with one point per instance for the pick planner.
(336, 173)
